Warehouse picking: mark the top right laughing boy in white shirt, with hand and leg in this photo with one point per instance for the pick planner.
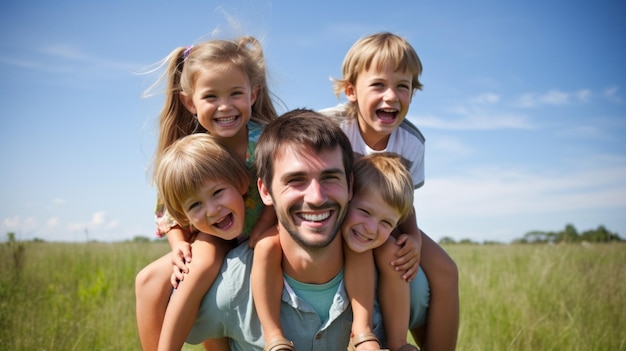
(380, 76)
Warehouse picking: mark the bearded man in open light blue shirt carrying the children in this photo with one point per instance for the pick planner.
(304, 165)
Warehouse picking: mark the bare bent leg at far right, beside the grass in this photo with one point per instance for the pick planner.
(442, 323)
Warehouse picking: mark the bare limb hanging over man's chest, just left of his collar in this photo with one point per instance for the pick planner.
(267, 286)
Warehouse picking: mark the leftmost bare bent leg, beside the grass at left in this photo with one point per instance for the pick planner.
(152, 292)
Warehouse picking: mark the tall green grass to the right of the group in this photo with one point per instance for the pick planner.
(542, 297)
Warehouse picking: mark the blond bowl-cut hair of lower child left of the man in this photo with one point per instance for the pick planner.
(188, 163)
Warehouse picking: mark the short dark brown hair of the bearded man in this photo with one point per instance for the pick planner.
(299, 129)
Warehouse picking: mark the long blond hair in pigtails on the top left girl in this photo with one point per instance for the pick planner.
(183, 67)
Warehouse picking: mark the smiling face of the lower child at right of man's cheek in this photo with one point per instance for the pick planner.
(369, 222)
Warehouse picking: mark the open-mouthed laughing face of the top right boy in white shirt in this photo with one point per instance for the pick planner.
(383, 99)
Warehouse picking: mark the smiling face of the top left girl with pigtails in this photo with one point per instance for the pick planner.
(222, 100)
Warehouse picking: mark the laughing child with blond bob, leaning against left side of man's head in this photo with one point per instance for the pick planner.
(203, 185)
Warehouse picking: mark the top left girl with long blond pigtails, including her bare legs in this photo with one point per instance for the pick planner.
(218, 87)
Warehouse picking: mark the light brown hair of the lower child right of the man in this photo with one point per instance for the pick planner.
(384, 175)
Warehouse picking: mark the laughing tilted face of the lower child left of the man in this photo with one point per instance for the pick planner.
(217, 209)
